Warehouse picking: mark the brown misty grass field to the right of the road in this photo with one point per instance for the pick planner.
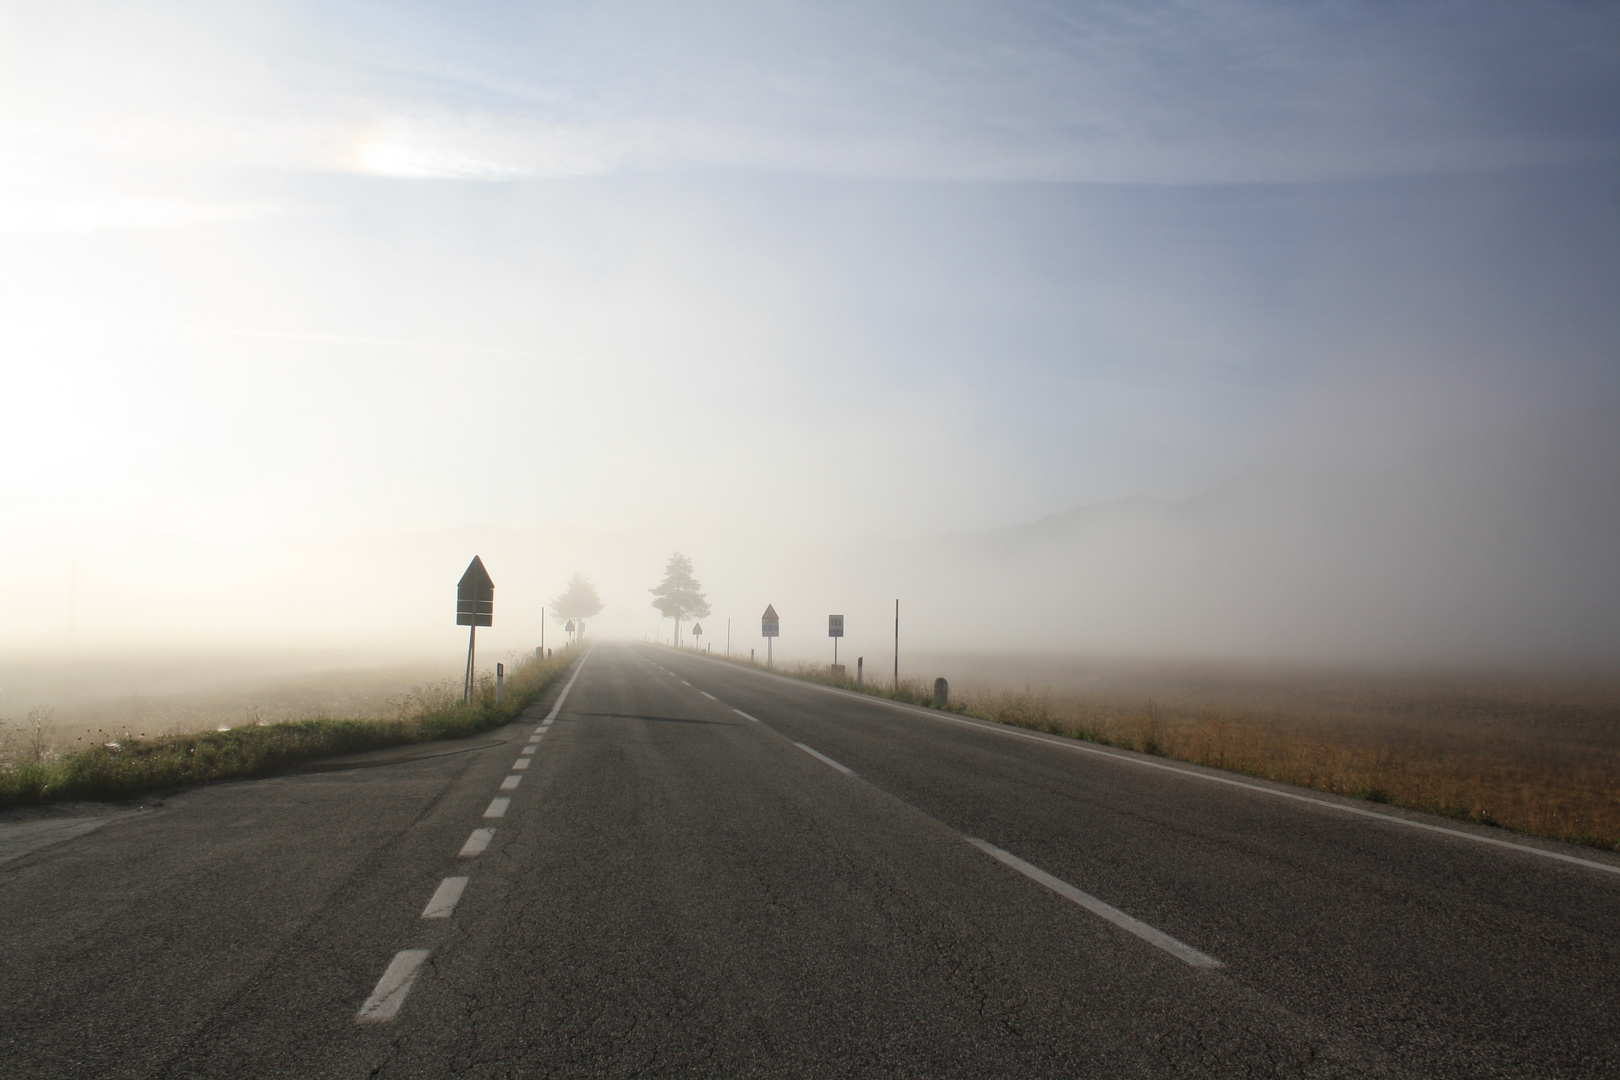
(1535, 754)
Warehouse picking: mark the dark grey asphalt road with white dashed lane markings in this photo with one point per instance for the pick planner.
(709, 870)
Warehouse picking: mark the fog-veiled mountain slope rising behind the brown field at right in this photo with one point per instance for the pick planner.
(1498, 548)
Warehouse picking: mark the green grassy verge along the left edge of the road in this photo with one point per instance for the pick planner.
(122, 767)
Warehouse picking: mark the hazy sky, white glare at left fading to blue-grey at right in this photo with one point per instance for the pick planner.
(740, 279)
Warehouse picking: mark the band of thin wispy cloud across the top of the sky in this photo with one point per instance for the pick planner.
(1117, 93)
